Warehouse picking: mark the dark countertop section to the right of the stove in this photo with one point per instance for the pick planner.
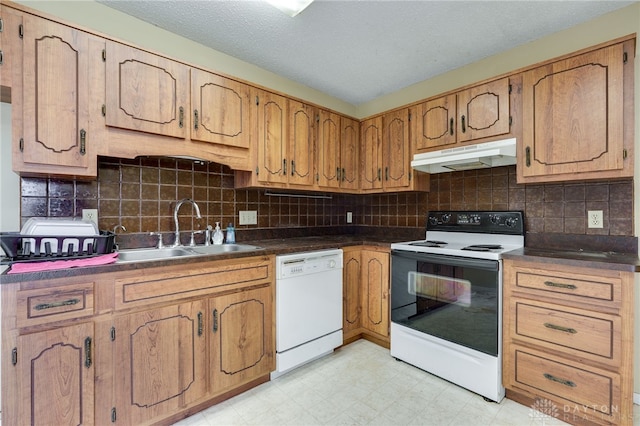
(592, 259)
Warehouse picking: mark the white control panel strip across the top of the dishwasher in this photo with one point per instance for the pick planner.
(294, 265)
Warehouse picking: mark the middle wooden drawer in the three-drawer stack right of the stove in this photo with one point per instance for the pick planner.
(584, 331)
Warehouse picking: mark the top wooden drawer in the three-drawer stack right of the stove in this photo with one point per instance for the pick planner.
(584, 288)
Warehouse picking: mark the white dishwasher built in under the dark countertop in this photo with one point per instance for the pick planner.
(308, 307)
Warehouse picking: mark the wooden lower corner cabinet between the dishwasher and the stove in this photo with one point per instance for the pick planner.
(366, 294)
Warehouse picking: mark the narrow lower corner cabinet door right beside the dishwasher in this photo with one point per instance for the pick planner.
(352, 297)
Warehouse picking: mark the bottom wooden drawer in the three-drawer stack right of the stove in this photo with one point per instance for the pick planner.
(589, 393)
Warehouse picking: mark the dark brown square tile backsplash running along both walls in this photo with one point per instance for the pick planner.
(140, 194)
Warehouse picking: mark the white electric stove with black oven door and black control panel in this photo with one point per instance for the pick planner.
(446, 297)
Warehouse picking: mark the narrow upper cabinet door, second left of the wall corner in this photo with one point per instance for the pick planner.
(329, 168)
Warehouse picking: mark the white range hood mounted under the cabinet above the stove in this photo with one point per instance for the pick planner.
(469, 157)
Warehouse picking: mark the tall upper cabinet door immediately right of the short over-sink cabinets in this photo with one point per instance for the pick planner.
(271, 139)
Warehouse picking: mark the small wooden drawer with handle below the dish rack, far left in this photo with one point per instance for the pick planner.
(42, 306)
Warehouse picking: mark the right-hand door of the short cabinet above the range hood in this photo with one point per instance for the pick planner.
(483, 111)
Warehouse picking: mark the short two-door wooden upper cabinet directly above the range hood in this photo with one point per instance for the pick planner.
(478, 112)
